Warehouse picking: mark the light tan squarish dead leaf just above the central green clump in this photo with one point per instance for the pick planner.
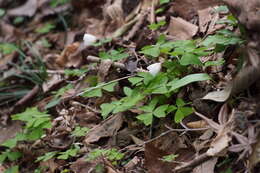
(180, 29)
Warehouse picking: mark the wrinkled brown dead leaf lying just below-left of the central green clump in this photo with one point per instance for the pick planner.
(107, 128)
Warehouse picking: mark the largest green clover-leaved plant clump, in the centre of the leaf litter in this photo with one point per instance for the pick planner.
(158, 90)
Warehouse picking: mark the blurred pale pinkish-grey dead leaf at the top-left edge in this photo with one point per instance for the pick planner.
(28, 9)
